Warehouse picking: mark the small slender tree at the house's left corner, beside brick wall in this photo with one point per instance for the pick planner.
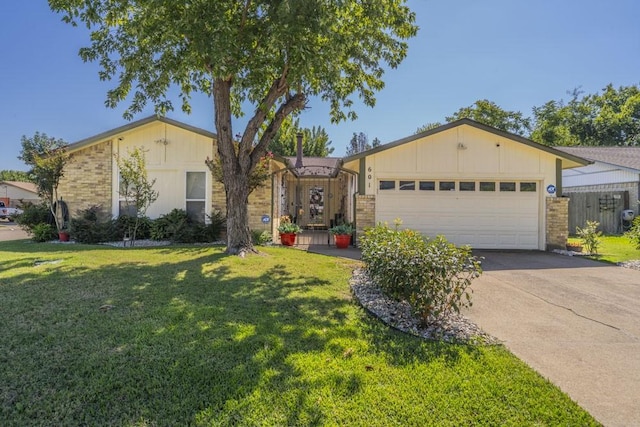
(47, 158)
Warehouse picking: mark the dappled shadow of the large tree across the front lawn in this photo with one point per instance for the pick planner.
(191, 341)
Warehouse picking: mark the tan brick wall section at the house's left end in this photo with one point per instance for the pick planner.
(88, 179)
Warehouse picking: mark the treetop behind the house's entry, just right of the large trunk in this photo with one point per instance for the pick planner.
(315, 141)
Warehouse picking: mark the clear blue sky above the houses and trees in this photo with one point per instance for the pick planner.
(519, 54)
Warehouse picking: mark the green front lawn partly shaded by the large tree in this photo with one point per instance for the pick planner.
(188, 336)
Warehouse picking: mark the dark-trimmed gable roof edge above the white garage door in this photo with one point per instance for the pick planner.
(477, 125)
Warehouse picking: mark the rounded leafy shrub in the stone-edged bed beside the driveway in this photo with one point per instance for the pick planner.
(432, 275)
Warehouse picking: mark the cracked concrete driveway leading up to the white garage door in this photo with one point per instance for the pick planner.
(575, 321)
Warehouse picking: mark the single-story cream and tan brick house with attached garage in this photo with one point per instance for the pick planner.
(470, 182)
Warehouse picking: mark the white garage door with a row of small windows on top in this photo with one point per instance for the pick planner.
(484, 214)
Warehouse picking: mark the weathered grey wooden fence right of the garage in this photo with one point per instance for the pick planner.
(604, 207)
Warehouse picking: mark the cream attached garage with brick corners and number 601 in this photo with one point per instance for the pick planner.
(474, 184)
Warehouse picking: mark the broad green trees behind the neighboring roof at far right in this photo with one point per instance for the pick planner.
(610, 118)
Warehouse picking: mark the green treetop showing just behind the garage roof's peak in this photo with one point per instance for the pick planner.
(489, 113)
